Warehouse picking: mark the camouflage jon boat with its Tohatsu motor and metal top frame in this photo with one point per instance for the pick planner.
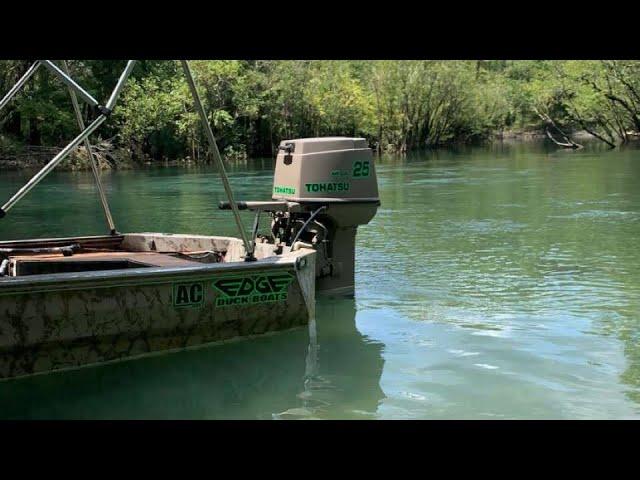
(69, 302)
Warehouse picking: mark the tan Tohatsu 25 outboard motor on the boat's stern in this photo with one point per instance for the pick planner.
(323, 189)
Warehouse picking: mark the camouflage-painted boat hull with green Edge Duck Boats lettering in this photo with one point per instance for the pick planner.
(67, 320)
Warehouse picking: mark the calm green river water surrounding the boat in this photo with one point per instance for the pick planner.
(500, 282)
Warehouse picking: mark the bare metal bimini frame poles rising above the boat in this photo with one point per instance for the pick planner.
(76, 91)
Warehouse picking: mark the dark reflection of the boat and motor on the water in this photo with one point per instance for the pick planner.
(331, 371)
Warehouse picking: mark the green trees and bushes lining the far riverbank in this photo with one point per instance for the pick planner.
(399, 106)
